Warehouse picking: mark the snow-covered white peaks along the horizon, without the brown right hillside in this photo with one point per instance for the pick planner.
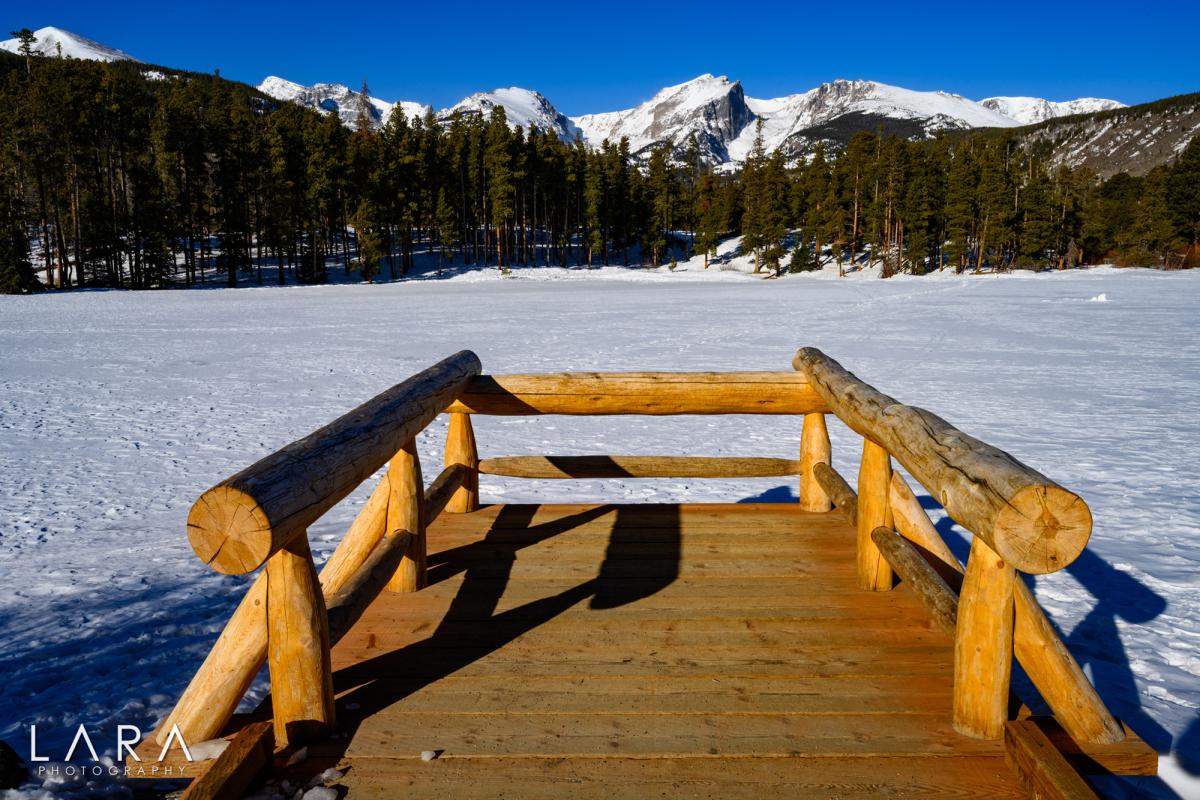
(712, 109)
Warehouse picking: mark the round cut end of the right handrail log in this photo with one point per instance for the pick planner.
(1042, 530)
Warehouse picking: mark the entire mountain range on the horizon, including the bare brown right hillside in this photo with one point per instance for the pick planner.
(724, 119)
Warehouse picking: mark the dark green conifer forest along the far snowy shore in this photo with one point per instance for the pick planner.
(116, 177)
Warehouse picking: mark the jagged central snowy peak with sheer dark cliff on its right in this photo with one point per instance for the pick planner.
(712, 107)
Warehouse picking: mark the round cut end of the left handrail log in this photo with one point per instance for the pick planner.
(230, 531)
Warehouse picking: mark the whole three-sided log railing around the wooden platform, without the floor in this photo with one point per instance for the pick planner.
(292, 616)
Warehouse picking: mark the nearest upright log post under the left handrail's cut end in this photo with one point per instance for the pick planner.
(298, 647)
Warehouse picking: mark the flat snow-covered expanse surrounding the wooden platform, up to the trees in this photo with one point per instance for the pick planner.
(118, 410)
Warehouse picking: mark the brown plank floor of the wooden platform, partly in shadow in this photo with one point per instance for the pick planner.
(664, 651)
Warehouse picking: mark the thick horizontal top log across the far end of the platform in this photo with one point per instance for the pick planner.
(640, 393)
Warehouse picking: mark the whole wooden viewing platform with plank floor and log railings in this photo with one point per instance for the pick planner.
(829, 648)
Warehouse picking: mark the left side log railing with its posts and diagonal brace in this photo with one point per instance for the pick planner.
(292, 616)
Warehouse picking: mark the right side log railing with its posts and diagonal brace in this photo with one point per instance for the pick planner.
(1021, 520)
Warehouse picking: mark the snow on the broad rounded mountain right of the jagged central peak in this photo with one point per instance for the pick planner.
(788, 117)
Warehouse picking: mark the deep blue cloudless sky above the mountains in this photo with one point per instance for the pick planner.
(593, 57)
